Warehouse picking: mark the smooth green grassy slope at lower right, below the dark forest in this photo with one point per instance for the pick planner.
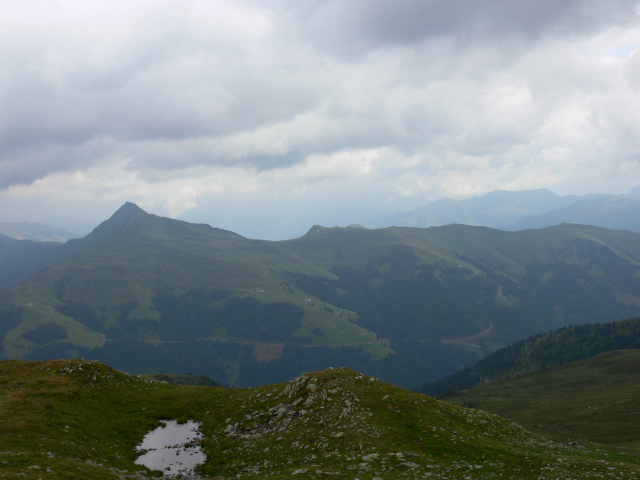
(590, 401)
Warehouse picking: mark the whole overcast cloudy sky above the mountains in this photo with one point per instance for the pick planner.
(266, 118)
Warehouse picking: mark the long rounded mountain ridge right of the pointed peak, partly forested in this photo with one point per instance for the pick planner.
(521, 282)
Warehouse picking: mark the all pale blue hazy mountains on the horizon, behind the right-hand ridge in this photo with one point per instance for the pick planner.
(517, 210)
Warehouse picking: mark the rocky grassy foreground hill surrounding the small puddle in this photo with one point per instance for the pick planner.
(71, 419)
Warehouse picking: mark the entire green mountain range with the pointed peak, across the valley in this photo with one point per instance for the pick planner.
(149, 294)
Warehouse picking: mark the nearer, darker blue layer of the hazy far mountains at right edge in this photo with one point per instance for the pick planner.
(609, 211)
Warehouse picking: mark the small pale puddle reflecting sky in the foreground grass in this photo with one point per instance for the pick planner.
(173, 448)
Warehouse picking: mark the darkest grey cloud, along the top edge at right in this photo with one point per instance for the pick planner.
(361, 25)
